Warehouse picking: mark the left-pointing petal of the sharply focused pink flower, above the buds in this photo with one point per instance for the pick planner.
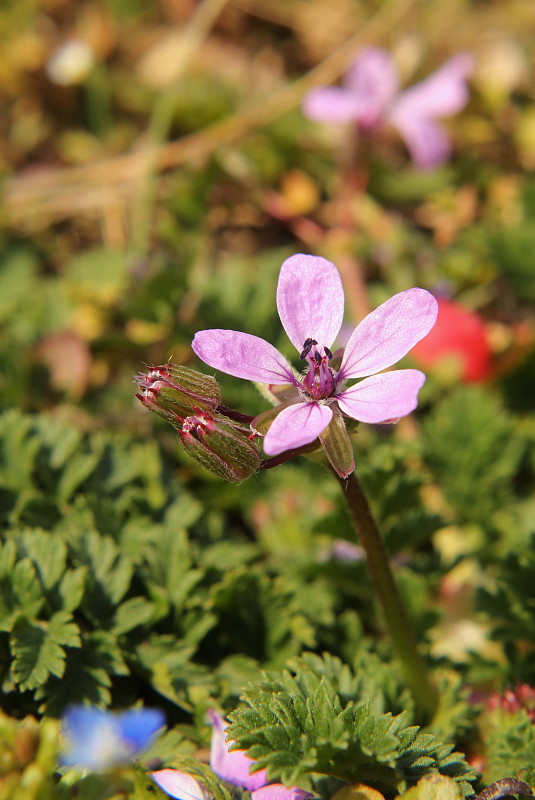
(242, 355)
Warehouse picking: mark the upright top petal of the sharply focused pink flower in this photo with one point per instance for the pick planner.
(310, 300)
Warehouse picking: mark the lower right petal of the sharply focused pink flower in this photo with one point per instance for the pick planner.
(383, 397)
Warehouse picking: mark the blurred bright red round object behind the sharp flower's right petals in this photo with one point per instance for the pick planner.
(458, 333)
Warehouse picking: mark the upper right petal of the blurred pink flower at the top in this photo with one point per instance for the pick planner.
(441, 94)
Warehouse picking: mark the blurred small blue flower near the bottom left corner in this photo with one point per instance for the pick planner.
(98, 740)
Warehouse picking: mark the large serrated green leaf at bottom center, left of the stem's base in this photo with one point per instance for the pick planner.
(345, 739)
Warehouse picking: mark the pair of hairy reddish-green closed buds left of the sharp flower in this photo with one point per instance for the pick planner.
(189, 400)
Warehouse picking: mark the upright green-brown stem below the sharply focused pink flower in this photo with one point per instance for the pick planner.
(416, 674)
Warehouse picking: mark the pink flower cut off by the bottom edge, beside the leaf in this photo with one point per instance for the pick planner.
(233, 766)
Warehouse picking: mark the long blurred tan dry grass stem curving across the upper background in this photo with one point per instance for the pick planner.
(35, 200)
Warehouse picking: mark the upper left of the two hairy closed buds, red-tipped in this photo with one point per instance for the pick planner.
(178, 392)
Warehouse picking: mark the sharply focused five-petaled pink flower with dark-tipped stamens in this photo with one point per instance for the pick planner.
(310, 301)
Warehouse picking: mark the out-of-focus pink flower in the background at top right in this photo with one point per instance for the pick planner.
(371, 97)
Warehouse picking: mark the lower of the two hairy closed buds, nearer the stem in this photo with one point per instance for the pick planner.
(220, 446)
